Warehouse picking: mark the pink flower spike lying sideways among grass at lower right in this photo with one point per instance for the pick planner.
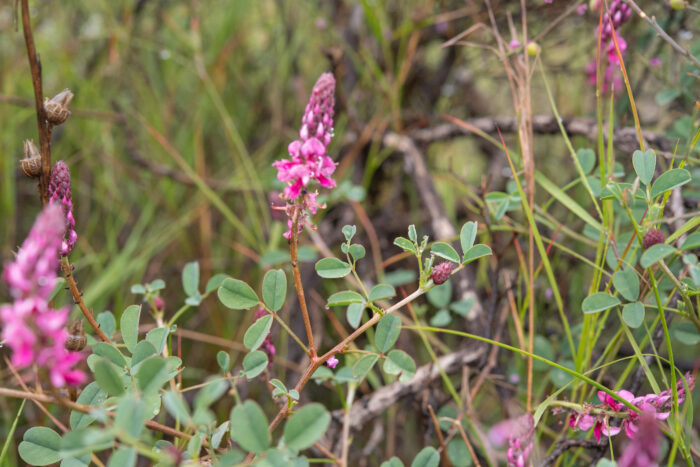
(659, 405)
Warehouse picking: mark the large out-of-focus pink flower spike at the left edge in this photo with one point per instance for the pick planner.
(34, 331)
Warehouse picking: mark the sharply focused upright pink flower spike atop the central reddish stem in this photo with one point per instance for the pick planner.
(308, 157)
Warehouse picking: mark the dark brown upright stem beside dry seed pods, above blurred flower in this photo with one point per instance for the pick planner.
(44, 131)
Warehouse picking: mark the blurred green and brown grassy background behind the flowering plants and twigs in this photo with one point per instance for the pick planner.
(182, 106)
